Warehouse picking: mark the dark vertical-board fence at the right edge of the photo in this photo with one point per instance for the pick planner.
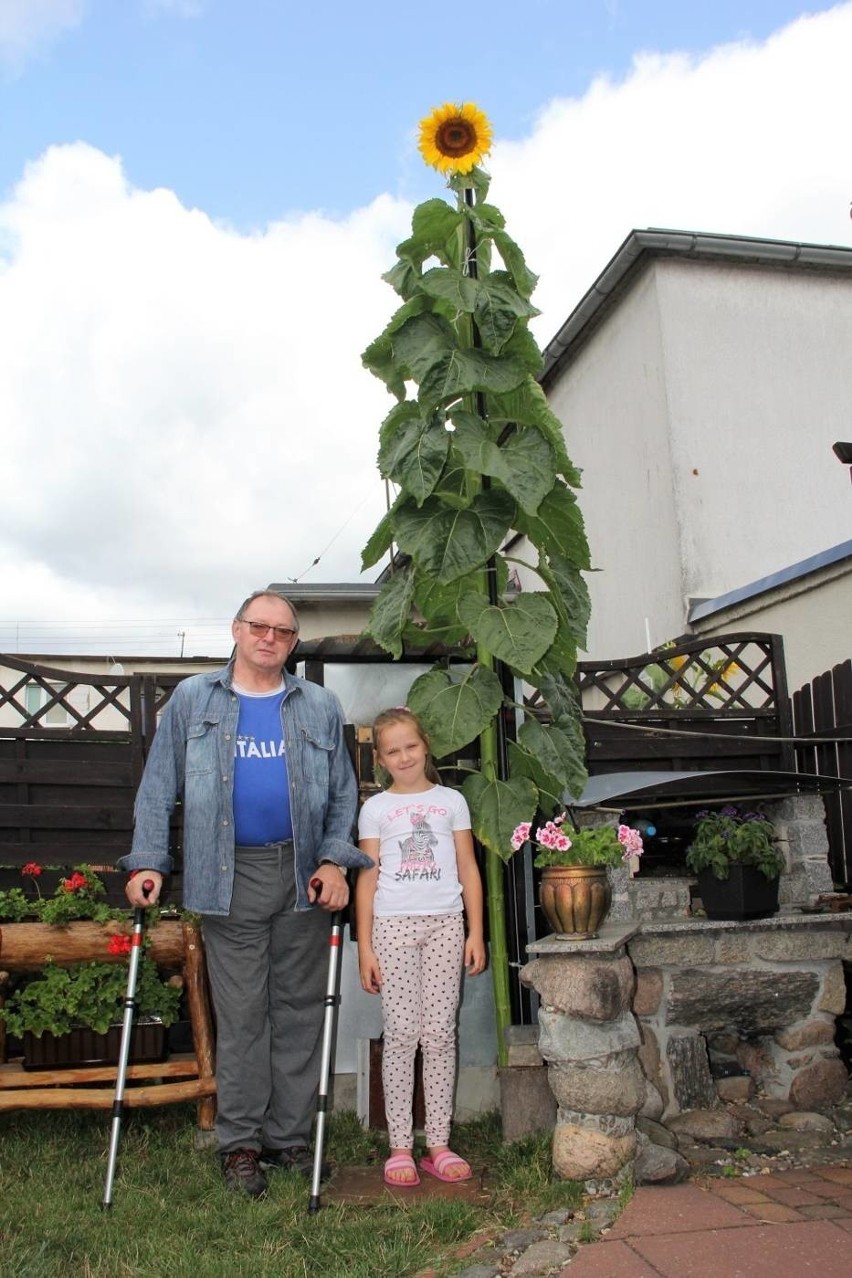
(823, 710)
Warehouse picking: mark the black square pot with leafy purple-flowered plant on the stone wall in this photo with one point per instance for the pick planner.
(738, 862)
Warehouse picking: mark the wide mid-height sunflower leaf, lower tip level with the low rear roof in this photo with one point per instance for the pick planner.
(454, 543)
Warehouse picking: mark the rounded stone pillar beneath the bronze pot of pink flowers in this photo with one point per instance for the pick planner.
(590, 1040)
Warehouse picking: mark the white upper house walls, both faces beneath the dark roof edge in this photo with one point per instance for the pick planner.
(703, 412)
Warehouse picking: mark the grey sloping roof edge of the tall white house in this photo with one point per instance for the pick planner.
(642, 247)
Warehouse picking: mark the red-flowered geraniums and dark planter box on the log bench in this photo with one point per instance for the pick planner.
(70, 1013)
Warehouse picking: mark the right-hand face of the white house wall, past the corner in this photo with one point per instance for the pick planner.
(759, 387)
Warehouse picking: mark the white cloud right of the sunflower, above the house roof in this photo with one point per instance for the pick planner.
(748, 140)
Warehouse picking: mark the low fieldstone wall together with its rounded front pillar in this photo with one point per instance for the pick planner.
(657, 1020)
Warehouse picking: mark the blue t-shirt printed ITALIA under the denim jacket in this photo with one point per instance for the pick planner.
(261, 792)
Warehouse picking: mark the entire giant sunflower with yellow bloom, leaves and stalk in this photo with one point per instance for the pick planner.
(478, 456)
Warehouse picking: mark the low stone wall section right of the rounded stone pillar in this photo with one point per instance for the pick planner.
(756, 1003)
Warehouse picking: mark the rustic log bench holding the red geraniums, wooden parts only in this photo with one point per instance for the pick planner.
(185, 1077)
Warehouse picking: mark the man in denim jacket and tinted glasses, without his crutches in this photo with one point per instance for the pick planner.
(260, 764)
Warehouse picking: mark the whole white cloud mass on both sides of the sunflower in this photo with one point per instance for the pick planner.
(185, 410)
